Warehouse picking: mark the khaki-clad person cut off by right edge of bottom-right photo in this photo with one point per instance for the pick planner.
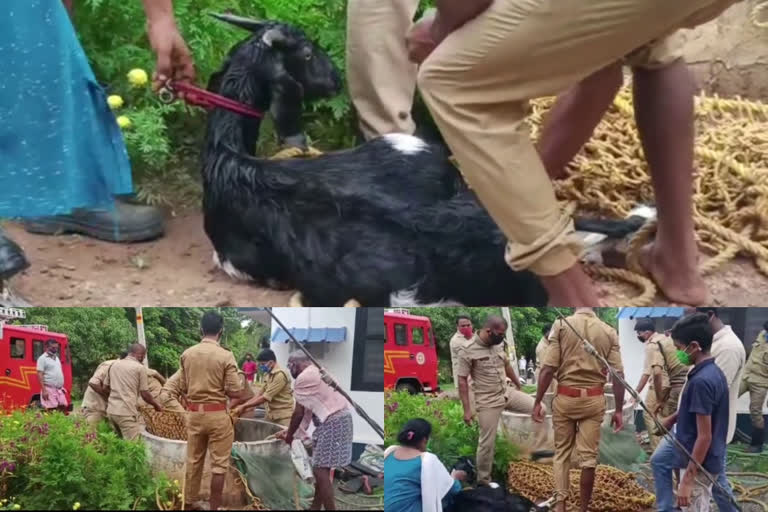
(756, 382)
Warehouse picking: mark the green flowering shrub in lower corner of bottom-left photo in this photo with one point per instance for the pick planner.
(55, 462)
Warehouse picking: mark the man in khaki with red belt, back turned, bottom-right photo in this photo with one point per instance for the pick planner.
(579, 406)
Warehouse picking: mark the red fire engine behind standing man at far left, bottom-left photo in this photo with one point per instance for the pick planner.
(20, 346)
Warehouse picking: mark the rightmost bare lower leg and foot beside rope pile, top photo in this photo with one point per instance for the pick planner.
(663, 91)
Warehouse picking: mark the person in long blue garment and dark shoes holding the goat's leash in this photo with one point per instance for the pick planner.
(62, 155)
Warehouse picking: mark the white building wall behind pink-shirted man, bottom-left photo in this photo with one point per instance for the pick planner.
(336, 358)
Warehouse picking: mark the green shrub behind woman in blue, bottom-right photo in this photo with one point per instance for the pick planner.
(451, 437)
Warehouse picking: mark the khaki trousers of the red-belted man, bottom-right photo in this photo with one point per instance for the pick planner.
(577, 424)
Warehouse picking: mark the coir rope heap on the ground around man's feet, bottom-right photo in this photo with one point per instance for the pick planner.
(615, 490)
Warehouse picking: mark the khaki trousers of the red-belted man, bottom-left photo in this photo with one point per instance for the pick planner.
(207, 432)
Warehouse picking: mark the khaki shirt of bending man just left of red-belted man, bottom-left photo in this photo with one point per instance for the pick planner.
(126, 379)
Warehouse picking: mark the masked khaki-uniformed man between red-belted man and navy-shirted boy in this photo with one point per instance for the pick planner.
(668, 376)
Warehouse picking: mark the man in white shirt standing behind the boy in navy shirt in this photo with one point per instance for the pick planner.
(731, 358)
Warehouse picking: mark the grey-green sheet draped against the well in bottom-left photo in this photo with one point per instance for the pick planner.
(272, 478)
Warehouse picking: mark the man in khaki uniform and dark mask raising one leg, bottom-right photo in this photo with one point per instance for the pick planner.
(485, 361)
